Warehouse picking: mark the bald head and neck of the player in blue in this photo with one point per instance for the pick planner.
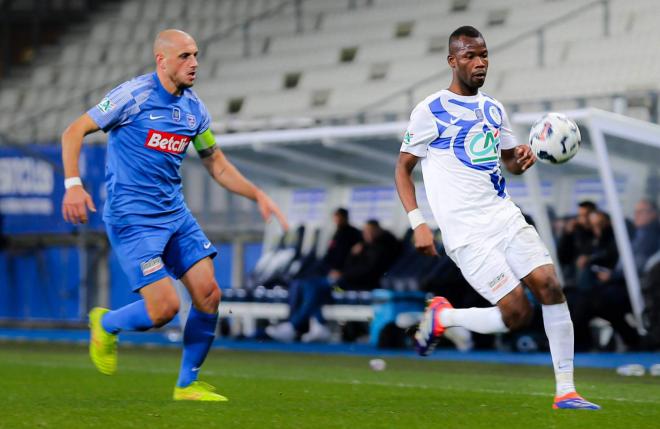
(176, 60)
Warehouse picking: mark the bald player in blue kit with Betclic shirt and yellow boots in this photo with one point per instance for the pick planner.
(151, 120)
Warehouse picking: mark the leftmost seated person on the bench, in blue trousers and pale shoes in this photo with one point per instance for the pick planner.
(307, 294)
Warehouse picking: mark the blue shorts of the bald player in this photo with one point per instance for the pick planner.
(148, 253)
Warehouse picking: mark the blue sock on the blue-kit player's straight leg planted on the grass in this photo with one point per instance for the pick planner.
(198, 336)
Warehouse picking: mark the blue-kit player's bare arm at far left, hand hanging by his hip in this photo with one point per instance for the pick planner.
(76, 200)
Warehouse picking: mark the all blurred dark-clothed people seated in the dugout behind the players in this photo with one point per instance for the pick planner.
(594, 280)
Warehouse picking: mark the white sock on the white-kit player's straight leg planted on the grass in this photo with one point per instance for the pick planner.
(559, 329)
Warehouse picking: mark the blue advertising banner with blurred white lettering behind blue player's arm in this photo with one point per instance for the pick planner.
(32, 188)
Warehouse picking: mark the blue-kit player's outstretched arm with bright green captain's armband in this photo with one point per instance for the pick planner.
(228, 176)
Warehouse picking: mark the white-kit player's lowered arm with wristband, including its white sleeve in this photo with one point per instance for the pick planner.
(421, 131)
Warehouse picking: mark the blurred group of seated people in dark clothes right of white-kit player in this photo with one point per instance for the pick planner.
(595, 285)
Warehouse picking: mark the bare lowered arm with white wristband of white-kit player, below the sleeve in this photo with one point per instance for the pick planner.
(406, 189)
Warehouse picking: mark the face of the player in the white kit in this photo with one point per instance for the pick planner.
(469, 61)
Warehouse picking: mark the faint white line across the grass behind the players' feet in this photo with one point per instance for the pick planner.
(349, 382)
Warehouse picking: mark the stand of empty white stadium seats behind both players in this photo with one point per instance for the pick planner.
(578, 60)
